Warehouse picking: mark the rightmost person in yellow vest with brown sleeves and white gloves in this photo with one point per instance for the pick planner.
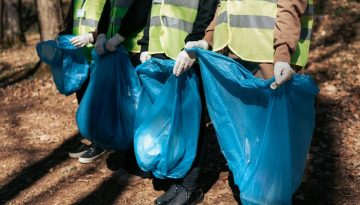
(271, 38)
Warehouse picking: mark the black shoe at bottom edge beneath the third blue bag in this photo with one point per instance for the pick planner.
(187, 197)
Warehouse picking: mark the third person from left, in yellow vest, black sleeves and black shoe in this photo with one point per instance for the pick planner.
(171, 26)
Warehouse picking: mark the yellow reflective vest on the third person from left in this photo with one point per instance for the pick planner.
(171, 22)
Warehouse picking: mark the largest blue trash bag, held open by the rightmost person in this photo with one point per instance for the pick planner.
(264, 134)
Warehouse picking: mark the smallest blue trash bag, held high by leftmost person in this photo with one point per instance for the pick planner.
(69, 65)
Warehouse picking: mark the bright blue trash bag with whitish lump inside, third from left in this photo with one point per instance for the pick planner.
(167, 121)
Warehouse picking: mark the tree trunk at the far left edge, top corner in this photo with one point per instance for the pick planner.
(12, 33)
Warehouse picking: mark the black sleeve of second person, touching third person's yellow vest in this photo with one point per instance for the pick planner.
(135, 19)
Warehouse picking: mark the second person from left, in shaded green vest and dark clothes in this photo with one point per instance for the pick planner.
(121, 22)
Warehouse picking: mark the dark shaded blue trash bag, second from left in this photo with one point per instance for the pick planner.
(106, 114)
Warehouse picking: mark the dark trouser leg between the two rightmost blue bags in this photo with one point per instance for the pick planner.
(192, 179)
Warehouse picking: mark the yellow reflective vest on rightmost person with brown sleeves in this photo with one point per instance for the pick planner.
(247, 28)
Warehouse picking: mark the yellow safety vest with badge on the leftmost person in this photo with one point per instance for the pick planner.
(88, 21)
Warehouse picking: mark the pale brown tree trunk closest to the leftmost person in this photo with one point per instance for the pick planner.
(50, 18)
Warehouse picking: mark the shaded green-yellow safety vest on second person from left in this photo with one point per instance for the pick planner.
(119, 8)
